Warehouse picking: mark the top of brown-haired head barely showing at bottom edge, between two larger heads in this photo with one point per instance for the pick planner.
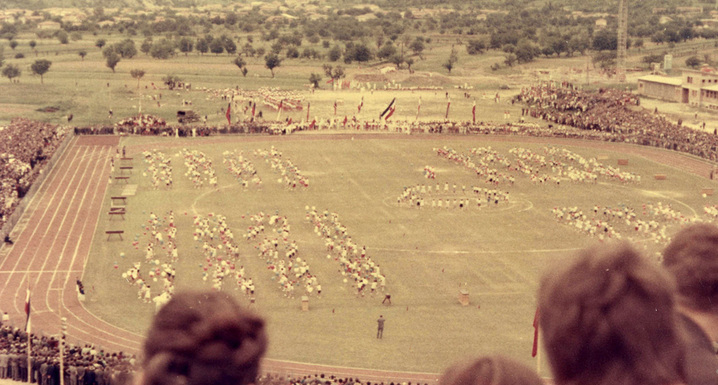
(489, 370)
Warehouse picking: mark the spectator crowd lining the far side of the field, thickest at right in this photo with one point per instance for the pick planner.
(607, 115)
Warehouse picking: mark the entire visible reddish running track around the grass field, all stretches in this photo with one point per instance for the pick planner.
(51, 251)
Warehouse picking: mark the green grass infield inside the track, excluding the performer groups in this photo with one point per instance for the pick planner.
(498, 252)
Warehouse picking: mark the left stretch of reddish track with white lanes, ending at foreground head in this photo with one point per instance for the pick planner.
(51, 251)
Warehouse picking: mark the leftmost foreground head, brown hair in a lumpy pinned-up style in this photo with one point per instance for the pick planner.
(203, 338)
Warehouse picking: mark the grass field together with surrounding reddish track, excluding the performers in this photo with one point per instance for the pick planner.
(498, 252)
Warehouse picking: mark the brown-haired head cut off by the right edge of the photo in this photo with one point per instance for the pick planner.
(692, 258)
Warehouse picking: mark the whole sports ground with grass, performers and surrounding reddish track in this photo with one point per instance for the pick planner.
(418, 205)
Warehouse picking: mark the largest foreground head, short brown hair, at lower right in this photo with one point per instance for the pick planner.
(608, 318)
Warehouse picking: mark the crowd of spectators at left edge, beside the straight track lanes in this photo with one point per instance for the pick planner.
(25, 147)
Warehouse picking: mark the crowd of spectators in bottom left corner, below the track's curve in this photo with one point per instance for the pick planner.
(83, 365)
